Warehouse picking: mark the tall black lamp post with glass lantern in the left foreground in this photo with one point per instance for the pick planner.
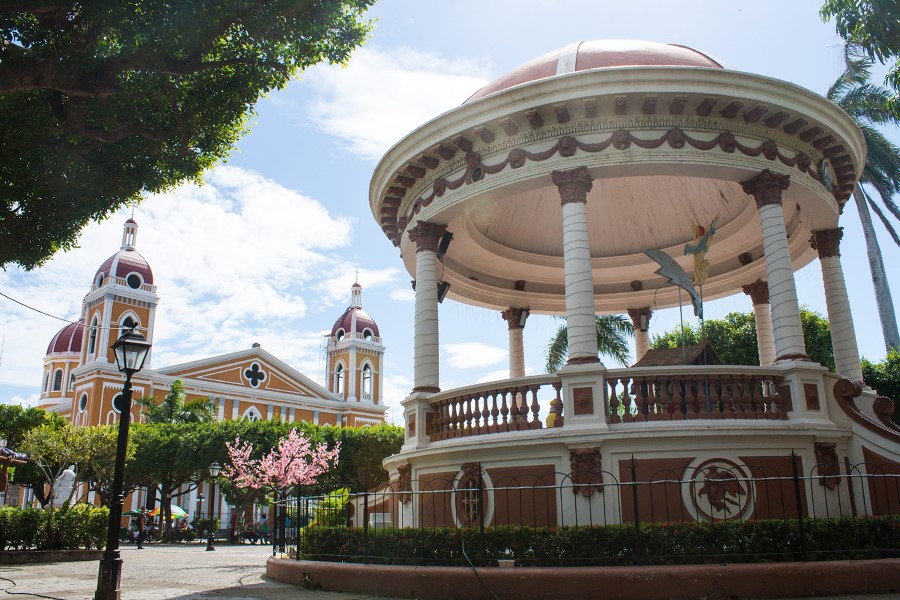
(131, 351)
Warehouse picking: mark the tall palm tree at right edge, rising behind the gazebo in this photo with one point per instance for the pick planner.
(871, 105)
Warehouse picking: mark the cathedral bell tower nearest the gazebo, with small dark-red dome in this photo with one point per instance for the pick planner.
(355, 354)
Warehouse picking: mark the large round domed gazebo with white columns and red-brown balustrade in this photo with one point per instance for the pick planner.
(550, 191)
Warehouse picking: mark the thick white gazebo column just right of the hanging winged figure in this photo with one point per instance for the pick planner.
(766, 188)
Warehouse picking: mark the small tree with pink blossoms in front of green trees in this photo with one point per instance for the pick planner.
(294, 461)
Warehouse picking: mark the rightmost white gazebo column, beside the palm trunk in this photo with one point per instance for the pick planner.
(843, 336)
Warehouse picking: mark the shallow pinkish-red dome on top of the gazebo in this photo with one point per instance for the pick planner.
(600, 54)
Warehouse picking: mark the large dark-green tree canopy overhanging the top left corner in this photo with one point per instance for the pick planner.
(101, 102)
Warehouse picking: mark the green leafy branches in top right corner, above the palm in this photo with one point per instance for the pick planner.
(874, 25)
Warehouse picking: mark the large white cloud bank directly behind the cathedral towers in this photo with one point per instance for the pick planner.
(237, 260)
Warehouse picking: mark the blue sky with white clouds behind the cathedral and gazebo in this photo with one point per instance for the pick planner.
(267, 248)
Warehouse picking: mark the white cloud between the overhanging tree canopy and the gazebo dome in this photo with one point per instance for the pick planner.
(382, 95)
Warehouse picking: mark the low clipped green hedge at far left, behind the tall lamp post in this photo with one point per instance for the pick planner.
(70, 528)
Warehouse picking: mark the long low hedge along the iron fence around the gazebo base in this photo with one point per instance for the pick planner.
(661, 543)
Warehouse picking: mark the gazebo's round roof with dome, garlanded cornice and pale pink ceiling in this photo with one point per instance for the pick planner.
(667, 146)
